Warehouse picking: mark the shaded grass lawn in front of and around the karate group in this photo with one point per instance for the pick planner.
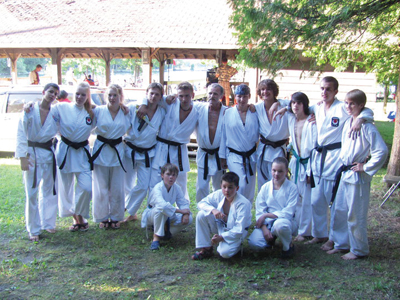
(117, 264)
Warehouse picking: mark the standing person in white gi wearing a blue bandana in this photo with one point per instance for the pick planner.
(238, 142)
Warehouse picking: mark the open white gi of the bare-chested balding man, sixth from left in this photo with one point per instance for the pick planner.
(203, 141)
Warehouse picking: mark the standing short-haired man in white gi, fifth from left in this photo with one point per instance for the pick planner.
(174, 135)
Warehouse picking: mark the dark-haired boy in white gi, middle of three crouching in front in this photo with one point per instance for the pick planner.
(226, 214)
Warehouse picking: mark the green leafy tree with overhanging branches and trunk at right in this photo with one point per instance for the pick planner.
(363, 34)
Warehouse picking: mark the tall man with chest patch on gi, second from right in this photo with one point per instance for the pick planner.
(324, 162)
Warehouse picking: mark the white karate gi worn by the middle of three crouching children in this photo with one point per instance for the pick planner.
(235, 230)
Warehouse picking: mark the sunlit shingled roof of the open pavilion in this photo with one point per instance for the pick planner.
(115, 24)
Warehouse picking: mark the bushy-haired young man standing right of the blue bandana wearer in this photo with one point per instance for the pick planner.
(273, 134)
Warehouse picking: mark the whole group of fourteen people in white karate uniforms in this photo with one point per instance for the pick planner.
(142, 151)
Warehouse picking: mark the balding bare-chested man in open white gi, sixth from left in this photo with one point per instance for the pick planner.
(209, 133)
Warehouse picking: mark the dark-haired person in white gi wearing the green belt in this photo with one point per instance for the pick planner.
(303, 136)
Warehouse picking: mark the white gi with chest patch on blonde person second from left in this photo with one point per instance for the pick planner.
(75, 125)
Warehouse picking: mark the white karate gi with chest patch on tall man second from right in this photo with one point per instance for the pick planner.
(329, 127)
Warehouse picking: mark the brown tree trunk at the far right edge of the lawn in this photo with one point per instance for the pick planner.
(394, 161)
